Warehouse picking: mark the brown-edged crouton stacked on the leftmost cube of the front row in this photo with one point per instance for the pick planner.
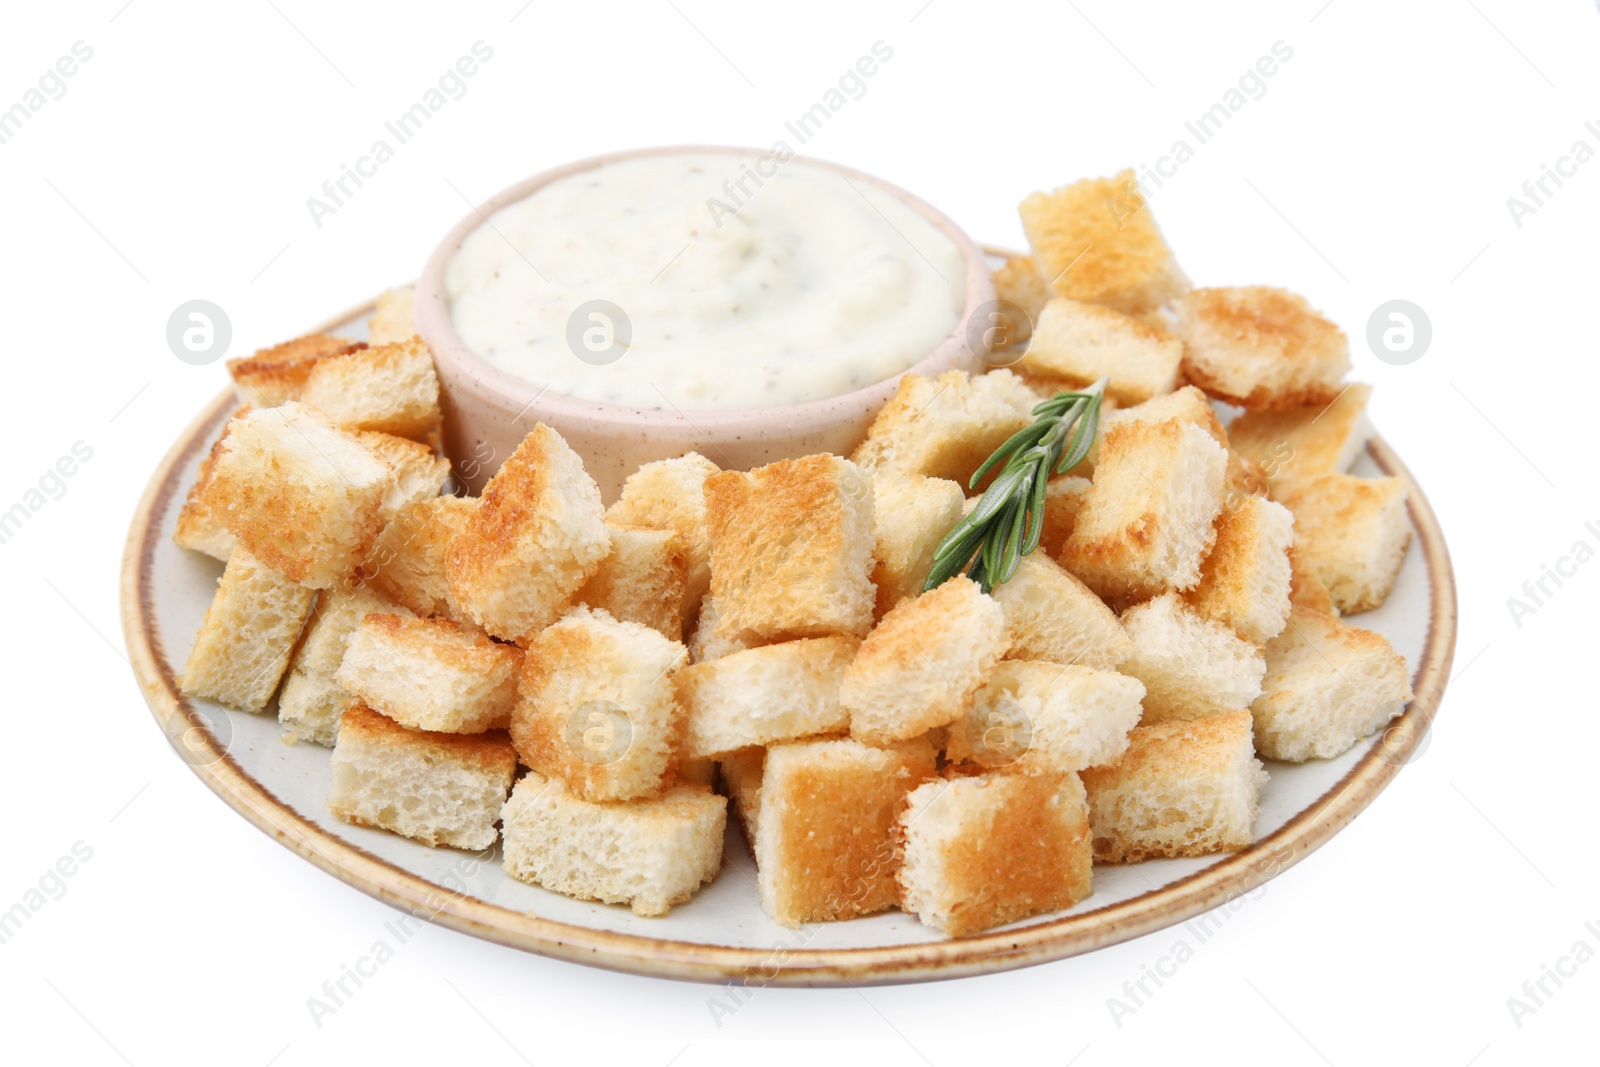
(431, 674)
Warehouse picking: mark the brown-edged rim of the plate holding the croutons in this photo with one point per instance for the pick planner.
(1228, 879)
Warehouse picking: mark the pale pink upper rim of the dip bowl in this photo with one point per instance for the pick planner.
(466, 369)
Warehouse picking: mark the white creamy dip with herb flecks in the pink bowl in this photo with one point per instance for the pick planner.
(706, 282)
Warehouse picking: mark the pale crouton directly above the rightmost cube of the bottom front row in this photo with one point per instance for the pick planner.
(1190, 666)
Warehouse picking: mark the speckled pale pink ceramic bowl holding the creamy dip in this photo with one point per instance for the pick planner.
(489, 412)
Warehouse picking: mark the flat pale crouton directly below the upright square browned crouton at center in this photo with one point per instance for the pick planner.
(766, 695)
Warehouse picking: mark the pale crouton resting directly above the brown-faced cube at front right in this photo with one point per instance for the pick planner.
(1036, 717)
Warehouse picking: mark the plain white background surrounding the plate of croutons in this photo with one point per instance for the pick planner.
(1378, 166)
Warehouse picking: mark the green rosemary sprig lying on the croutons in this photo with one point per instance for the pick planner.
(1009, 518)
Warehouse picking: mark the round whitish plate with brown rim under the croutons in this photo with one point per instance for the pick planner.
(722, 935)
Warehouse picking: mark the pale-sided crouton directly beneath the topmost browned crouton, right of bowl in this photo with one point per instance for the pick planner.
(1084, 343)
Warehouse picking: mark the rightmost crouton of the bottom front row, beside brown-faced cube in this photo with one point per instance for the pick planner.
(1182, 789)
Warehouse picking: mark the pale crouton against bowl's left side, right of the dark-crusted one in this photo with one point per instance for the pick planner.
(388, 388)
